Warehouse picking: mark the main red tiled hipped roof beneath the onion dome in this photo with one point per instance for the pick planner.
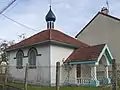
(47, 35)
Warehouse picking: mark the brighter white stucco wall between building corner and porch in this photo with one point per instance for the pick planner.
(58, 53)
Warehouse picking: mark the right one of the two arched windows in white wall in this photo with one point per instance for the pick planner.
(32, 58)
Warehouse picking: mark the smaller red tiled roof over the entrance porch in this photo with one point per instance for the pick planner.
(85, 54)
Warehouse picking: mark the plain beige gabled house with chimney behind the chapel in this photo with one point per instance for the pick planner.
(103, 28)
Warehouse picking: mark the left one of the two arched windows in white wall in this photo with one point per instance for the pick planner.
(19, 59)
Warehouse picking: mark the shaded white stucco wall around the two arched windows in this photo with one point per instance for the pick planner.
(41, 73)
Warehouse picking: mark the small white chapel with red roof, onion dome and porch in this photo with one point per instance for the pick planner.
(78, 60)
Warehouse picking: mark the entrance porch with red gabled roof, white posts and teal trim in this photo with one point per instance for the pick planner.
(92, 65)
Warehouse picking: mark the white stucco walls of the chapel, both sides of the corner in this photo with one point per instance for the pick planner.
(46, 65)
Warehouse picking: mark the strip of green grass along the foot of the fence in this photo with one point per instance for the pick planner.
(30, 87)
